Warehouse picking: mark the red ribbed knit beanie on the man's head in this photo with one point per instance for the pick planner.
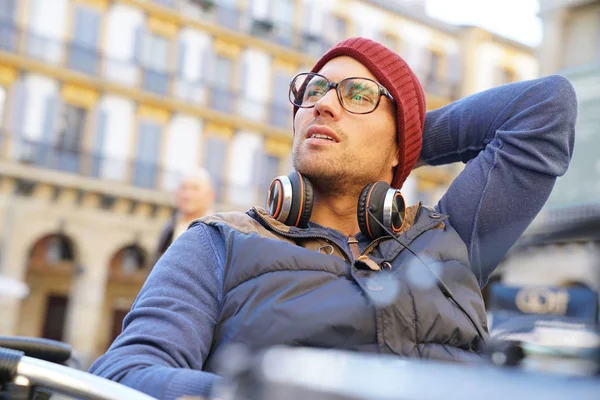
(396, 76)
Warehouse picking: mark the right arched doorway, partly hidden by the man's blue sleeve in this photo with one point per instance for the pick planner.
(129, 267)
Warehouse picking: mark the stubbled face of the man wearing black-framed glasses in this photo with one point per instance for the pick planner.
(364, 148)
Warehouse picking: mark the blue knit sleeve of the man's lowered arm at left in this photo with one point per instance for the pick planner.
(167, 335)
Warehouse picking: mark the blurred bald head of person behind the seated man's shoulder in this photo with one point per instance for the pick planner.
(195, 193)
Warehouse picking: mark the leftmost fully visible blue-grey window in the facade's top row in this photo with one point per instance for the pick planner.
(83, 54)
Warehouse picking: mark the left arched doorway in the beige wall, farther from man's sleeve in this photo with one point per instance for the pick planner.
(51, 266)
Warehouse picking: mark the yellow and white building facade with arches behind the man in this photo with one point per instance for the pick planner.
(104, 103)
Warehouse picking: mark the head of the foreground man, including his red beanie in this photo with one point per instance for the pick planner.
(382, 145)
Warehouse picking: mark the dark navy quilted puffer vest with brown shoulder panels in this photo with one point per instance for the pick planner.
(291, 286)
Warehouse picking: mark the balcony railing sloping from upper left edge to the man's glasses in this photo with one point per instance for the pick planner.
(129, 72)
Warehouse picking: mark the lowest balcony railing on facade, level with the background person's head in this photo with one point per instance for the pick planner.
(24, 150)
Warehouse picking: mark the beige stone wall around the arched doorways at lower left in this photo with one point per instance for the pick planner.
(96, 235)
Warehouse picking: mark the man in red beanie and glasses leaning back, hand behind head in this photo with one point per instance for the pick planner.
(334, 282)
